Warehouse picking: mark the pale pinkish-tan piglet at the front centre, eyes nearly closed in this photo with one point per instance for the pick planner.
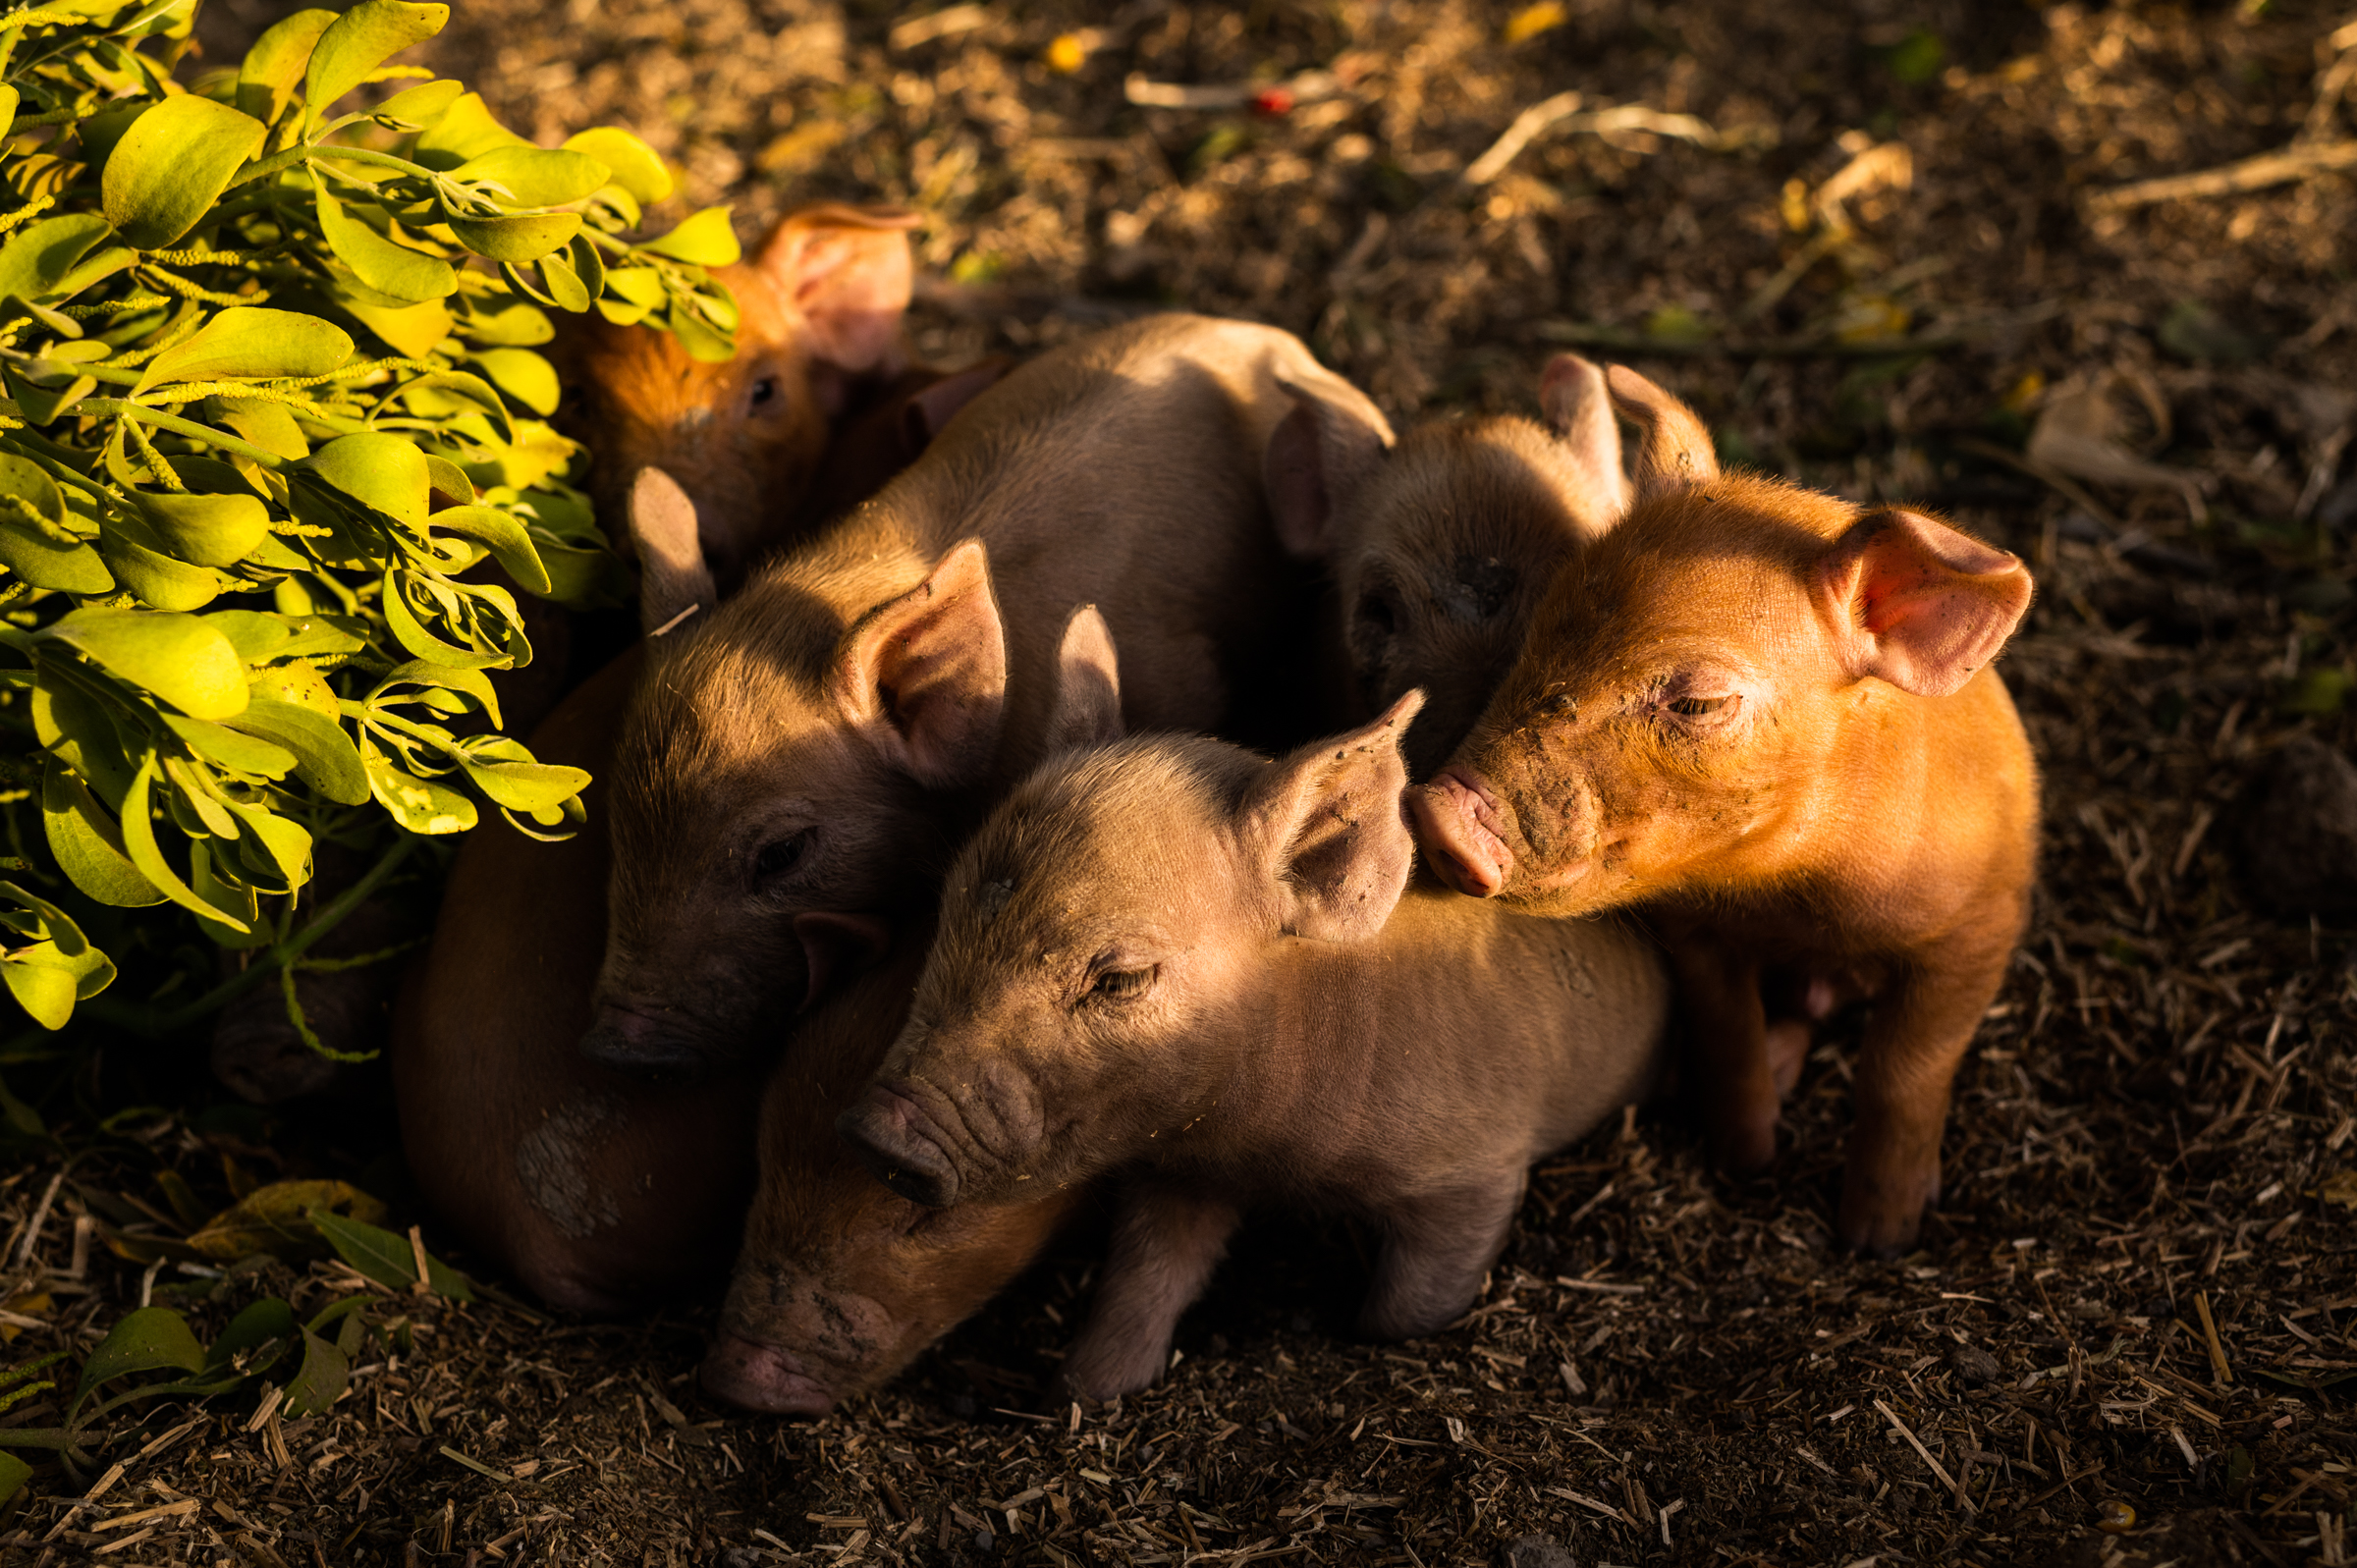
(1182, 958)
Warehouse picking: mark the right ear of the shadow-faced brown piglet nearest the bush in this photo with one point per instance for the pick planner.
(925, 676)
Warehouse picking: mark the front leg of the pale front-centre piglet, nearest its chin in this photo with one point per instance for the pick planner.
(1166, 1249)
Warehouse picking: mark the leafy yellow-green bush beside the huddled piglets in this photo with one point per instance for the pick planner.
(272, 400)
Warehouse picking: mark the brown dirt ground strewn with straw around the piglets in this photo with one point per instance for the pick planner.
(1875, 253)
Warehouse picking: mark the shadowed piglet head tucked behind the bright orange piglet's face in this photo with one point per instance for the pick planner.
(1441, 546)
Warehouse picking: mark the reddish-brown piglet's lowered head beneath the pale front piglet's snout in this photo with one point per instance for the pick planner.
(840, 1284)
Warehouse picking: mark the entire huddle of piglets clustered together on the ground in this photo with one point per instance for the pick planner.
(1137, 782)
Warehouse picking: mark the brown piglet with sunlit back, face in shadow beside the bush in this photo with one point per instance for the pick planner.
(803, 760)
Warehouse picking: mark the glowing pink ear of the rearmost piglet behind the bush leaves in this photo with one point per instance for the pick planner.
(847, 275)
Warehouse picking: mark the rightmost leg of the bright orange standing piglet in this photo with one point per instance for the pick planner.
(1906, 1069)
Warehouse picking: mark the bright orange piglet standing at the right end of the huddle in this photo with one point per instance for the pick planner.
(1769, 718)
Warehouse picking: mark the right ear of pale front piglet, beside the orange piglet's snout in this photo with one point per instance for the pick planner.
(1331, 831)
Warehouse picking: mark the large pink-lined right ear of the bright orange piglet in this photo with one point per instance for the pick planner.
(1917, 602)
